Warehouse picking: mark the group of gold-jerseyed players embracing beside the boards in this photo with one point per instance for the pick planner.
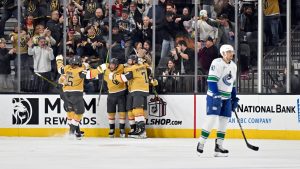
(128, 86)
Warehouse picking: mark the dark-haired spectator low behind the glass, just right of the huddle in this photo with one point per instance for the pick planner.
(169, 79)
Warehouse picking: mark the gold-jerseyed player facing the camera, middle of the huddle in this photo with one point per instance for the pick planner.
(116, 96)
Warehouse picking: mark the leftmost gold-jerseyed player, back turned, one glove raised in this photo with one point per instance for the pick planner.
(72, 78)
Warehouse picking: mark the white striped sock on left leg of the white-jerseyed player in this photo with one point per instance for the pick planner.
(208, 125)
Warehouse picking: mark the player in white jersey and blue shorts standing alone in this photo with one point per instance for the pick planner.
(221, 98)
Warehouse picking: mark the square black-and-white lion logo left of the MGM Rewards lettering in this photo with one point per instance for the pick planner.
(25, 111)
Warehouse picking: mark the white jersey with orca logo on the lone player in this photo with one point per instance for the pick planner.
(225, 76)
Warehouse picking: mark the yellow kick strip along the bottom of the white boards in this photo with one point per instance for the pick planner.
(154, 133)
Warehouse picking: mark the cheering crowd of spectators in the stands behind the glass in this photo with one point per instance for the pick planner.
(87, 21)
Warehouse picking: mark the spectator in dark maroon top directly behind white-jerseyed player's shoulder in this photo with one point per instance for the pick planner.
(207, 54)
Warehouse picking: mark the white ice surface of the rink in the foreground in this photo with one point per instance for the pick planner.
(151, 153)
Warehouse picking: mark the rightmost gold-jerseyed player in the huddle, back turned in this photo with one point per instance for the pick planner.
(137, 76)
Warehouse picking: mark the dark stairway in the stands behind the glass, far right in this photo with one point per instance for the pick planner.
(274, 64)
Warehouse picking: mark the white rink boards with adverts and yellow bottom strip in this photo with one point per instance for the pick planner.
(262, 116)
